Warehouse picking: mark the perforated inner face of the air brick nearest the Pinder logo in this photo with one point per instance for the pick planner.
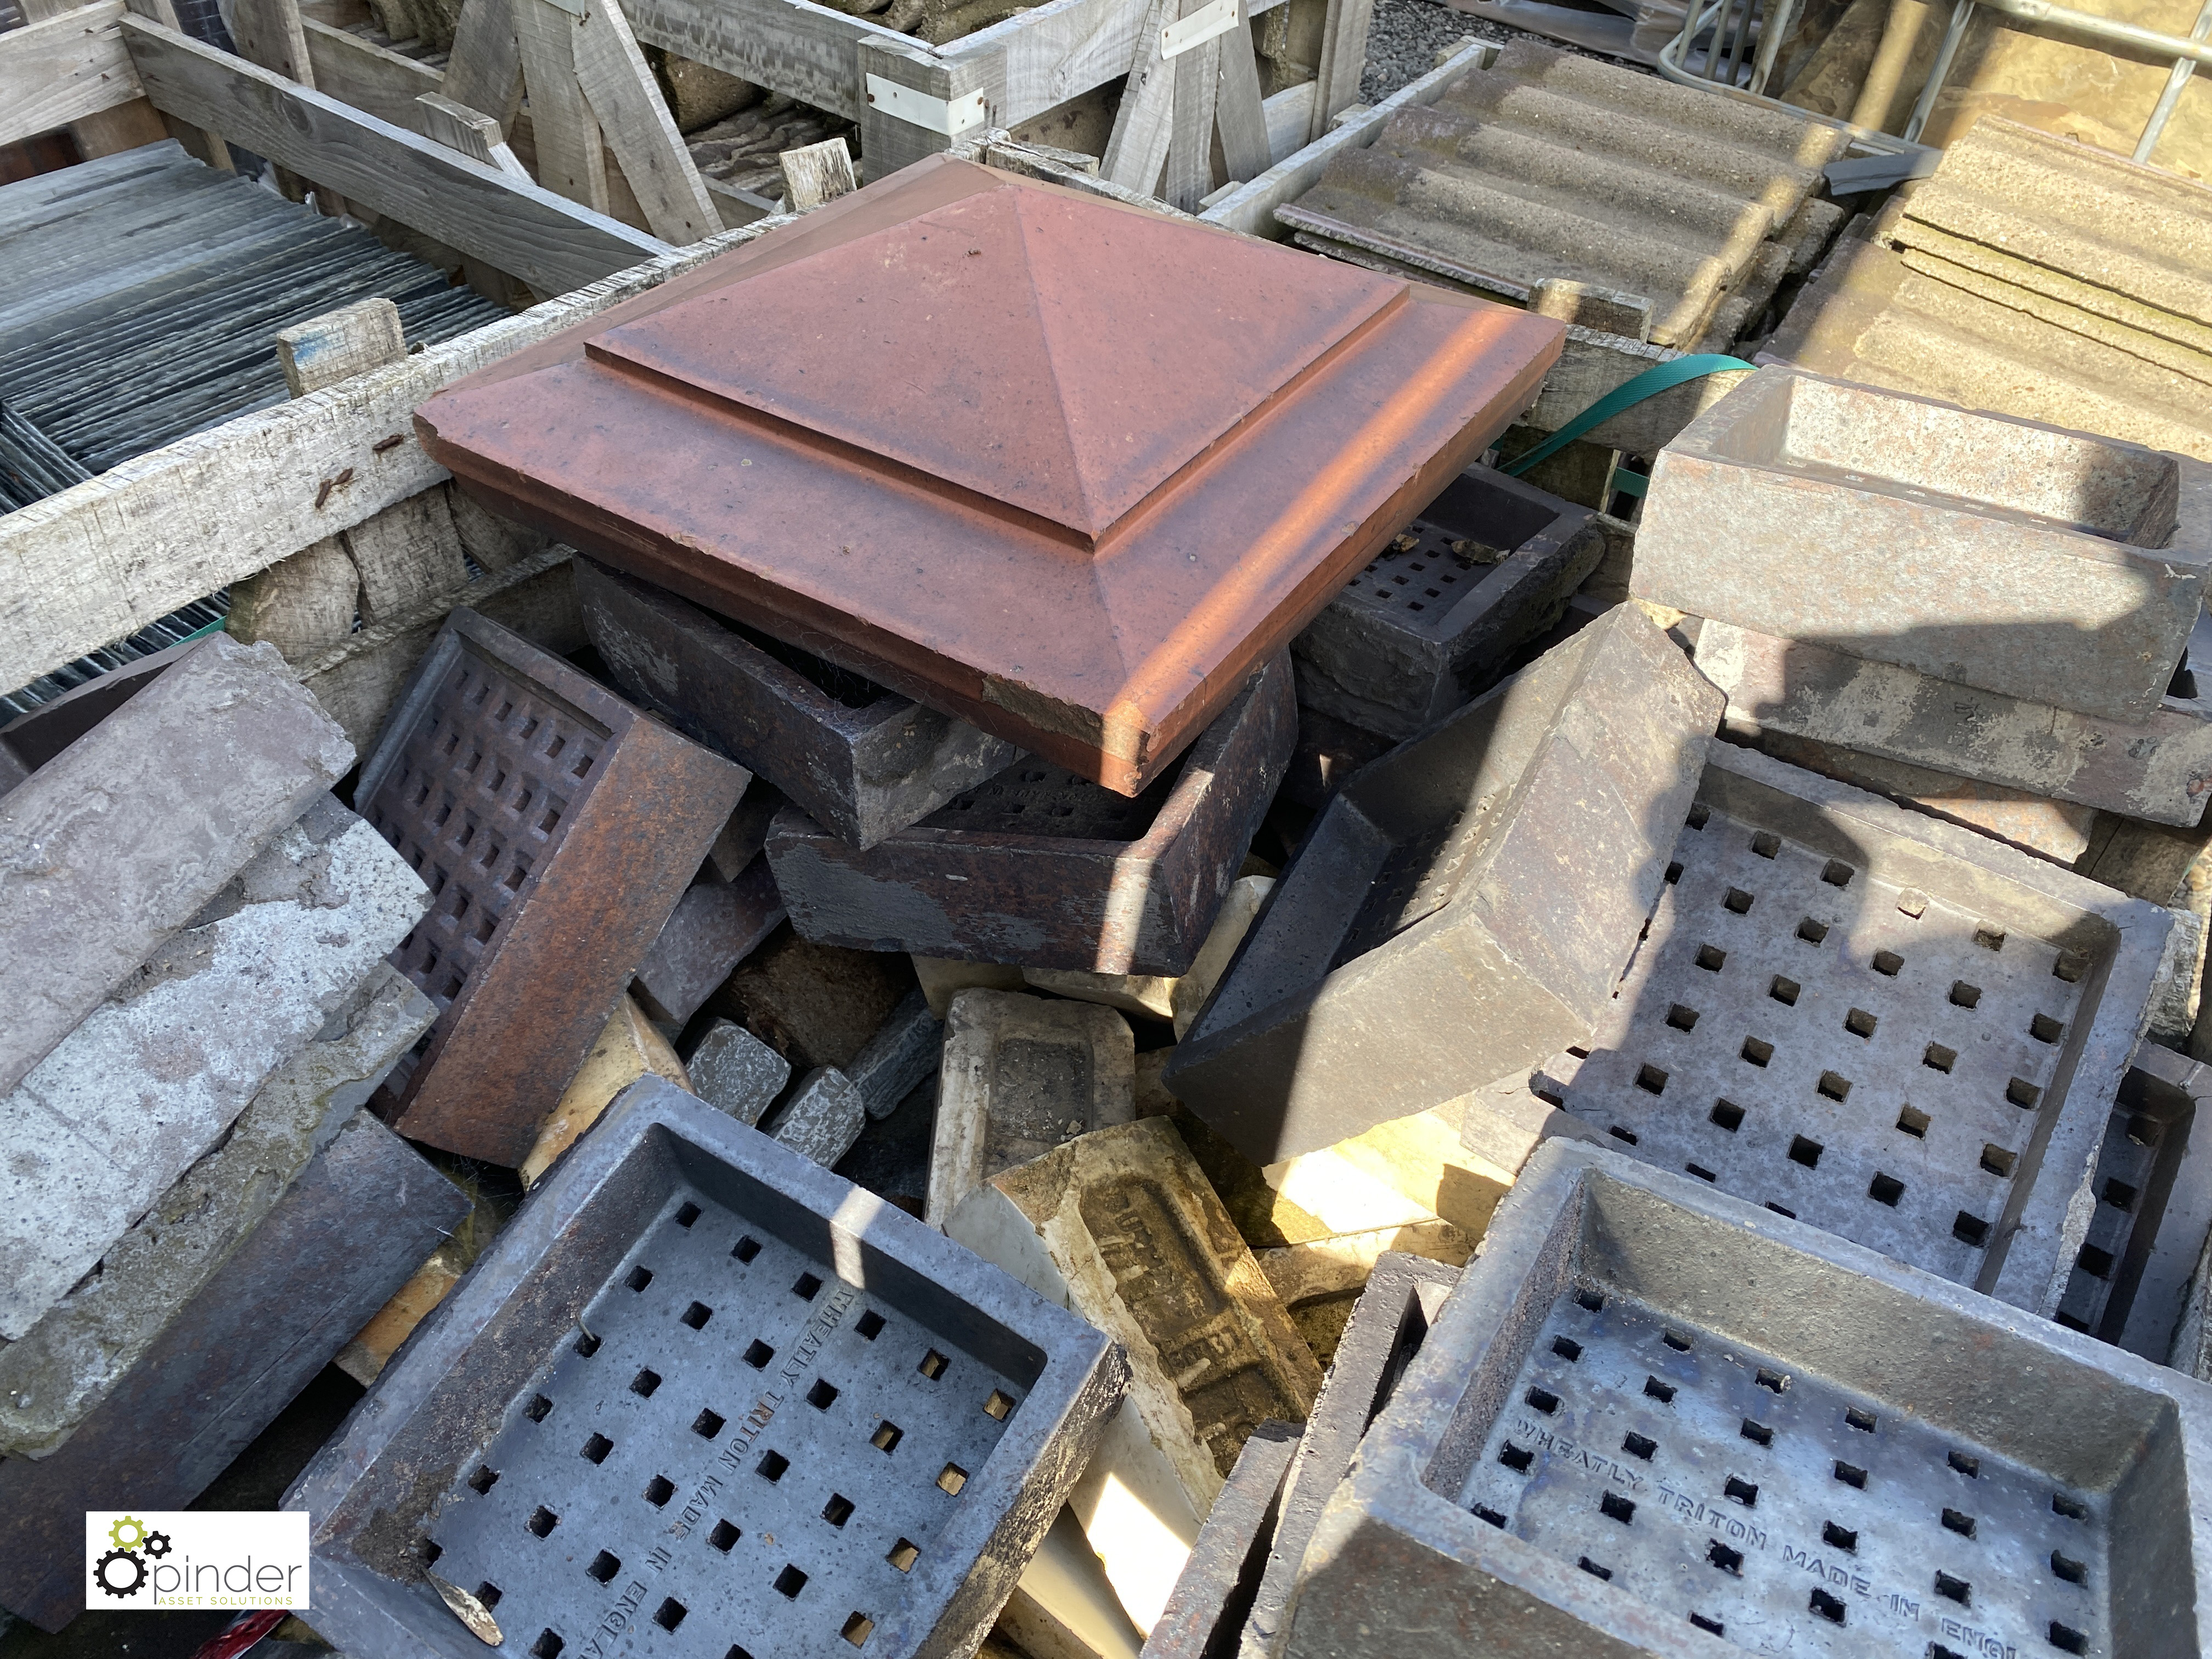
(735, 1457)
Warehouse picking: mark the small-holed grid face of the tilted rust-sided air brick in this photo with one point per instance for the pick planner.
(479, 800)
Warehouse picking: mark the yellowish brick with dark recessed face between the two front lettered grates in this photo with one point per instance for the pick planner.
(1125, 1229)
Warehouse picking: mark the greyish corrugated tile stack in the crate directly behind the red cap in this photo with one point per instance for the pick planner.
(1561, 167)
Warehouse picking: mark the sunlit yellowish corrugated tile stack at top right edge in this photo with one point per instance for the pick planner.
(2036, 278)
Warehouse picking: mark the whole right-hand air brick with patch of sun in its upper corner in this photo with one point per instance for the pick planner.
(1903, 1032)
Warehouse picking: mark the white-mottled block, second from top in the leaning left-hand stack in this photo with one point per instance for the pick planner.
(107, 1123)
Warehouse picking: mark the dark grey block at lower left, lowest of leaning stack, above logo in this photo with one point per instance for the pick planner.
(328, 1253)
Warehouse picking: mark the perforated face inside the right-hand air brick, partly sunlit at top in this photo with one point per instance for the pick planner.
(1837, 1047)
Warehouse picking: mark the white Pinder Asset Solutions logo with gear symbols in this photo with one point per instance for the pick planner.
(196, 1558)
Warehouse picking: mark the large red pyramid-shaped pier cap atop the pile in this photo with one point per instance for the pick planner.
(1056, 466)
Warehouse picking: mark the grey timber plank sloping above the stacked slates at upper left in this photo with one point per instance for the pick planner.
(477, 209)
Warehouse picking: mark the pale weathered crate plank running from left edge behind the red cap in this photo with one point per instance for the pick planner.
(103, 559)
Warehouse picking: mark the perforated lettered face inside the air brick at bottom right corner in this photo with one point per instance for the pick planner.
(1777, 1510)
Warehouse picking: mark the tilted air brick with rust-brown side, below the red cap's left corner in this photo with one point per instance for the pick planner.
(556, 828)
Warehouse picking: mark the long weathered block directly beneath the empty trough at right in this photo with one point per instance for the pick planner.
(1799, 691)
